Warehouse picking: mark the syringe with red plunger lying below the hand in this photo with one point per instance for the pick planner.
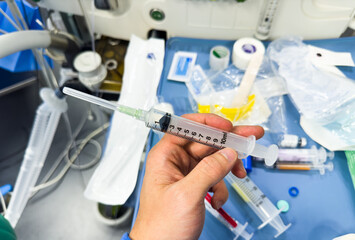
(227, 220)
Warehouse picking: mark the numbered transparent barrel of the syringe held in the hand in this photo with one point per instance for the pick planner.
(198, 132)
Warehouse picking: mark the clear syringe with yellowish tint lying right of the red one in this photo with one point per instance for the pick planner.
(258, 202)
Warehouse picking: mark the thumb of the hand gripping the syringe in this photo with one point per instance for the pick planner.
(210, 170)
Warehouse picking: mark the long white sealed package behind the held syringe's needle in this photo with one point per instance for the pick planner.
(115, 178)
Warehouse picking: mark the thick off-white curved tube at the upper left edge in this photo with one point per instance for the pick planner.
(23, 40)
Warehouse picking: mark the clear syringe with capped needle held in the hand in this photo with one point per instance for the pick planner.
(185, 128)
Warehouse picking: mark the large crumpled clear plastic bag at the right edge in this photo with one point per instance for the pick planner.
(321, 97)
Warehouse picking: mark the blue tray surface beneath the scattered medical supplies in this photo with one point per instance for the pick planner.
(324, 208)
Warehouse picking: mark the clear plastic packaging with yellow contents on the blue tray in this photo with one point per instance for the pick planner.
(215, 92)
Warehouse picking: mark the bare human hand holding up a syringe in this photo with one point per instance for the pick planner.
(178, 175)
